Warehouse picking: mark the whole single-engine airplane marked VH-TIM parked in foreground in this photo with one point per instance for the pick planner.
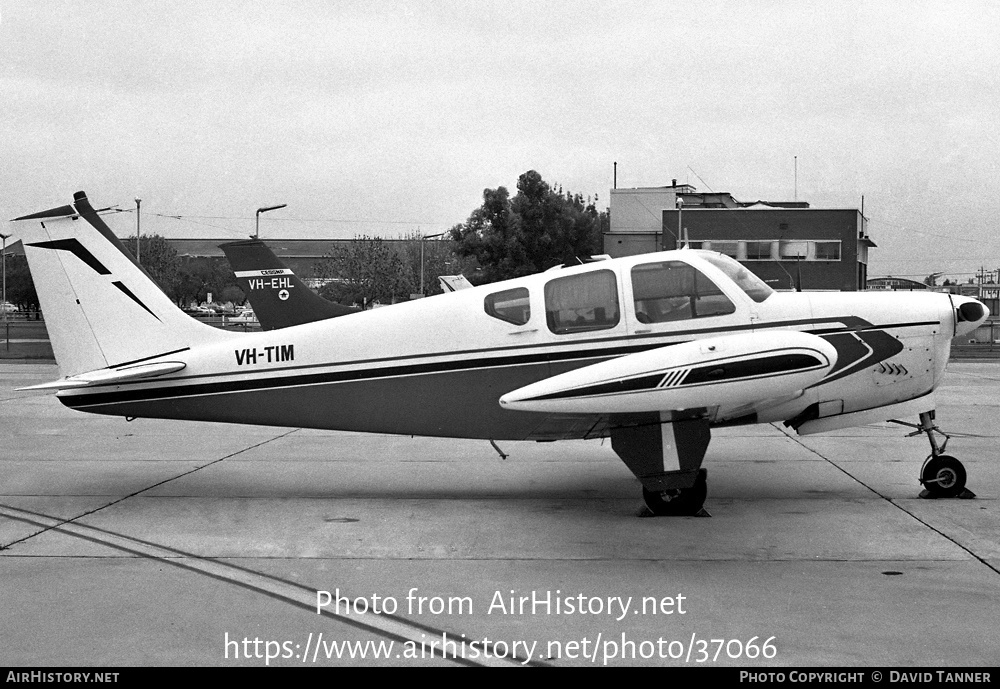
(652, 351)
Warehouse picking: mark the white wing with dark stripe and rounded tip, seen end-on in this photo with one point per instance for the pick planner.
(731, 370)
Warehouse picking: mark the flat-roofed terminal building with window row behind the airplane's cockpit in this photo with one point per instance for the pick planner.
(785, 243)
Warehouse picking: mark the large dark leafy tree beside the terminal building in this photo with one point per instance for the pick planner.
(537, 229)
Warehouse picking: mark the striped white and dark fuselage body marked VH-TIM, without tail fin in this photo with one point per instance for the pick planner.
(438, 366)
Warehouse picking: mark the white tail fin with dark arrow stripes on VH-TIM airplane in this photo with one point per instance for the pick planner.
(101, 307)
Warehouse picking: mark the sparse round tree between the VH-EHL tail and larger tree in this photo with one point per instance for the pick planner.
(362, 272)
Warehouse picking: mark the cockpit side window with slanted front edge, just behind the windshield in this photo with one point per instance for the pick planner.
(673, 291)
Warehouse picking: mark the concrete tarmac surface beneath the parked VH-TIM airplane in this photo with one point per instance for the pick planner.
(179, 543)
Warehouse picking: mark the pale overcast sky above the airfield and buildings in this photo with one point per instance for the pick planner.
(392, 117)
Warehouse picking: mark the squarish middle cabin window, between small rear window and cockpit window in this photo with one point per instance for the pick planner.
(577, 303)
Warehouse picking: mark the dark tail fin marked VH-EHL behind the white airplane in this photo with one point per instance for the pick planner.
(279, 298)
